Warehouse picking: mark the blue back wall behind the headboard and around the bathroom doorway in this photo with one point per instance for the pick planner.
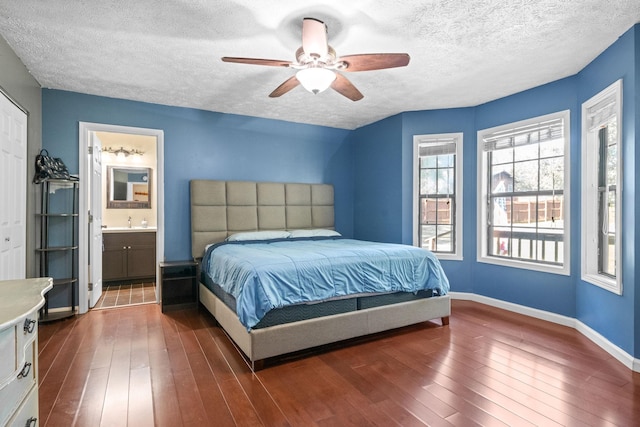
(207, 145)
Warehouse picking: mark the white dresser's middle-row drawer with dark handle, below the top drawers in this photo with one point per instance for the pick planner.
(12, 394)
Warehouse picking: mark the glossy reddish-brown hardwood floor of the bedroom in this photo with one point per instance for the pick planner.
(136, 366)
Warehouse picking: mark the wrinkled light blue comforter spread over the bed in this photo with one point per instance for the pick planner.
(262, 275)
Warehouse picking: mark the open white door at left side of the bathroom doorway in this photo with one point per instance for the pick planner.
(95, 219)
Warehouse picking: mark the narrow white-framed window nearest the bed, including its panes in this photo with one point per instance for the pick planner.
(438, 194)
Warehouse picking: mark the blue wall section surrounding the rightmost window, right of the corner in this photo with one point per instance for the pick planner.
(611, 315)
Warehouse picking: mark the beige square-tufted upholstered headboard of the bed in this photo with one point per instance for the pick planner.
(221, 208)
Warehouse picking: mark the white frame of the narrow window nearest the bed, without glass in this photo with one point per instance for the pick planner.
(418, 140)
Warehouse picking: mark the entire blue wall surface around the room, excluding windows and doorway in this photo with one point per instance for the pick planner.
(371, 169)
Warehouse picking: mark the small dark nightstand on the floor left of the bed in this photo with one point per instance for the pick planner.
(179, 284)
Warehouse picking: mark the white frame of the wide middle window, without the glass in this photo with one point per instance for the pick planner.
(483, 199)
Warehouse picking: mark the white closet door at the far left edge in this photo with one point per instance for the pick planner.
(13, 190)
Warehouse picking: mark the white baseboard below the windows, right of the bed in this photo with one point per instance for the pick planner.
(615, 351)
